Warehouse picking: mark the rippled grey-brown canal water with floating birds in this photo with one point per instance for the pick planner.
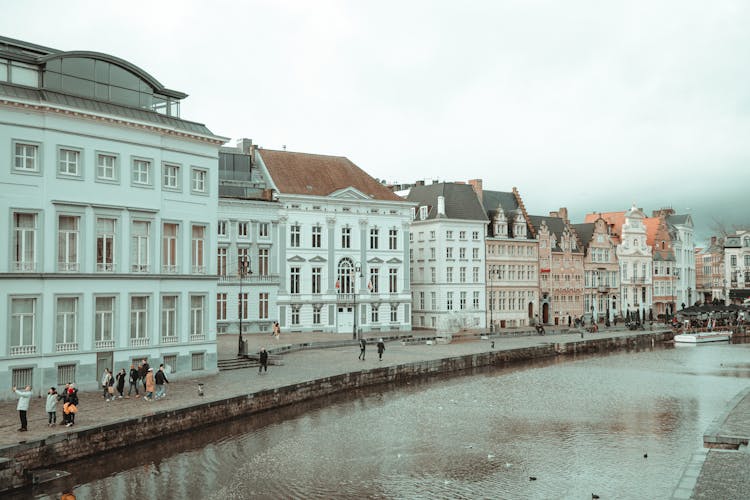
(619, 426)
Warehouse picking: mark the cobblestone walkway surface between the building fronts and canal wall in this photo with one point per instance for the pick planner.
(295, 367)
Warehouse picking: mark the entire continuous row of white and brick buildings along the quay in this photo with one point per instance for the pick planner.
(133, 233)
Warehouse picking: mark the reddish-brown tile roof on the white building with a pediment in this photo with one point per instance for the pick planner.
(320, 175)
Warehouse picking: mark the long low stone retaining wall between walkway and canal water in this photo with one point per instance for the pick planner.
(65, 447)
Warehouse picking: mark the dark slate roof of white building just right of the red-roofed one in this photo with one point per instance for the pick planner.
(461, 202)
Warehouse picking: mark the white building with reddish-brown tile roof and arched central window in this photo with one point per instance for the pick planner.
(342, 246)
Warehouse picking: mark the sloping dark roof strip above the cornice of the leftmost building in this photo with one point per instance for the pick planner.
(55, 98)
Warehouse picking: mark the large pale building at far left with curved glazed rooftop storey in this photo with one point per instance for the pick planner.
(108, 203)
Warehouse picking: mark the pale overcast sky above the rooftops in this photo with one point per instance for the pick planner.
(591, 105)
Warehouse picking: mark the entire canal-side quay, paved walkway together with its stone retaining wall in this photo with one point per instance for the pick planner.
(313, 364)
